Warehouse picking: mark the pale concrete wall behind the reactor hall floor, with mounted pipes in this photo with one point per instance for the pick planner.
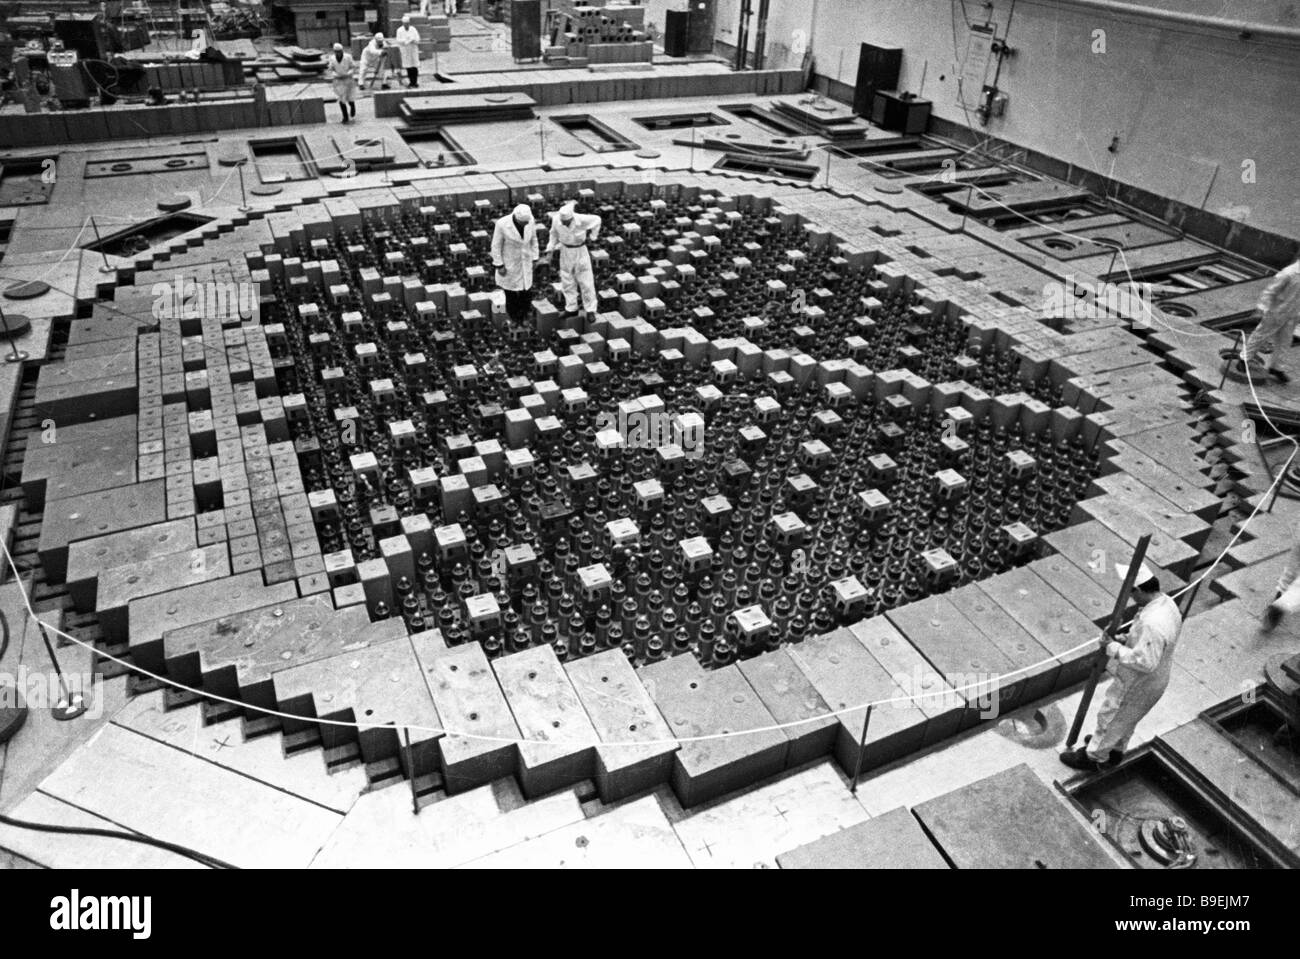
(1190, 106)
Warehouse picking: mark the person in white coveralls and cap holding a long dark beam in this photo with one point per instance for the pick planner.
(1141, 669)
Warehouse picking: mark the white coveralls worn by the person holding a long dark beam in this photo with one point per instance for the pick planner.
(1141, 670)
